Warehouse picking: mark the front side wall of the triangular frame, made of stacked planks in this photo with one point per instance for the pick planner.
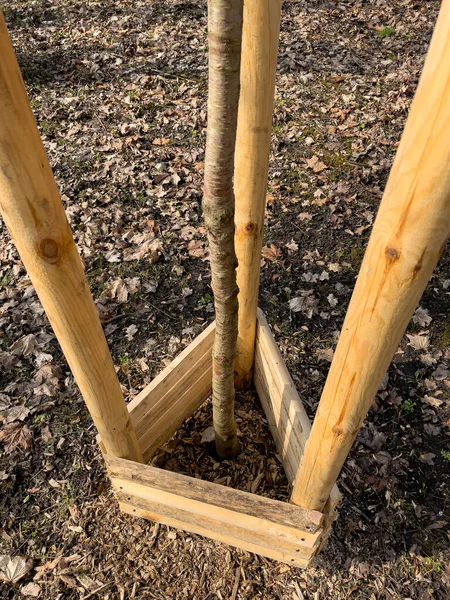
(269, 527)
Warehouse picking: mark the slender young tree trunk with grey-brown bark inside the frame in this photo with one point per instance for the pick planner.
(224, 34)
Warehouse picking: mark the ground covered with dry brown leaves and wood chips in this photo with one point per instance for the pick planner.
(119, 92)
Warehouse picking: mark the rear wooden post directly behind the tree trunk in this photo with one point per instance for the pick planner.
(260, 35)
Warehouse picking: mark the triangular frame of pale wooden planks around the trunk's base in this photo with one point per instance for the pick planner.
(274, 529)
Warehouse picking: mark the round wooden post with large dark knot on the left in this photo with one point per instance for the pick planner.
(34, 214)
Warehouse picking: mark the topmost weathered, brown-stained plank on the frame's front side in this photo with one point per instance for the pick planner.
(214, 495)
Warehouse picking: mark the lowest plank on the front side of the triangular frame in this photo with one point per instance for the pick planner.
(139, 511)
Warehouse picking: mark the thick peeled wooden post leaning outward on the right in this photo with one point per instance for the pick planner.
(409, 234)
